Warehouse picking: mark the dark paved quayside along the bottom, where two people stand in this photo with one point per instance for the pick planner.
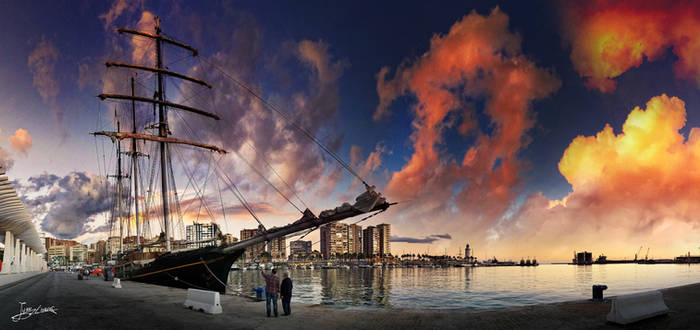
(94, 304)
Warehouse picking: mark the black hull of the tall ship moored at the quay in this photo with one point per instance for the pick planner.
(205, 268)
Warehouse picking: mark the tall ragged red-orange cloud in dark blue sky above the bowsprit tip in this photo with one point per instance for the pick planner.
(479, 59)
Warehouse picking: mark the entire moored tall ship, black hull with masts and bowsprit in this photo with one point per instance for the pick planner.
(162, 261)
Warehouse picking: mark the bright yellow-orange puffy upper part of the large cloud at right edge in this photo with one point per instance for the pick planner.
(649, 166)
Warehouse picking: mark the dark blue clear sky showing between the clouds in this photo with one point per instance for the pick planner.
(363, 36)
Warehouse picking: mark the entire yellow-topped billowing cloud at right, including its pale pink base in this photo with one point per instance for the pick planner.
(641, 185)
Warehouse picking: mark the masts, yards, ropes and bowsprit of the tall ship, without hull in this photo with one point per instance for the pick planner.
(160, 157)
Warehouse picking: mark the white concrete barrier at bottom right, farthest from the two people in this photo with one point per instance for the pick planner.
(635, 307)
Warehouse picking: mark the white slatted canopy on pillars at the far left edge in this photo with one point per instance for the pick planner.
(23, 246)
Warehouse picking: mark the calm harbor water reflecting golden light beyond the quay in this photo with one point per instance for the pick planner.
(467, 288)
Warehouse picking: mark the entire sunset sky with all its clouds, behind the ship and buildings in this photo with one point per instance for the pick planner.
(524, 129)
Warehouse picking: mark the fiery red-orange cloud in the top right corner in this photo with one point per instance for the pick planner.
(611, 37)
